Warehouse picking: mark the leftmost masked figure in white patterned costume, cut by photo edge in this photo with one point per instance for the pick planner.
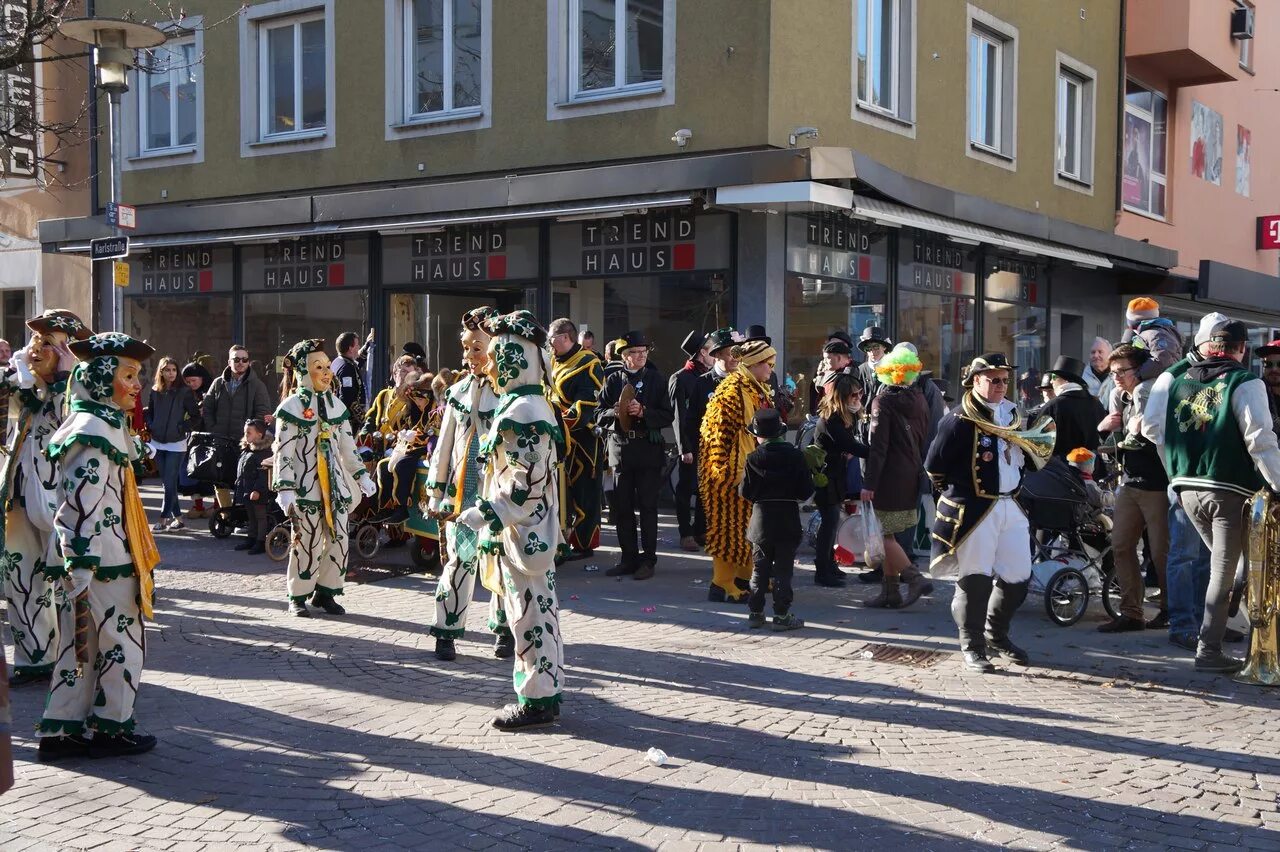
(30, 498)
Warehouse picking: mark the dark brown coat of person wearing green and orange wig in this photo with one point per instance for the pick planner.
(899, 430)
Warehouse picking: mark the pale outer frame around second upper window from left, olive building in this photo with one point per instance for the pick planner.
(254, 25)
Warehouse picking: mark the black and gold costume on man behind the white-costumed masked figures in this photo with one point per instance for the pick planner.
(577, 382)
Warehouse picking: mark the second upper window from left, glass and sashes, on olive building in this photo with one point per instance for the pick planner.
(292, 76)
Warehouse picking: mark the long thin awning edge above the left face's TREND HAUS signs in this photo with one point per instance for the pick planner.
(598, 209)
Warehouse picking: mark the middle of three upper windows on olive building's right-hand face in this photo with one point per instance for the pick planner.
(993, 88)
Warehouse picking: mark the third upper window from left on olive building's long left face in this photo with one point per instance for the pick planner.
(444, 53)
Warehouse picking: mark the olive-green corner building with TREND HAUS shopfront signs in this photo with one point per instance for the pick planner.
(944, 170)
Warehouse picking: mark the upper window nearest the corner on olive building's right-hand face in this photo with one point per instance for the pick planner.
(885, 51)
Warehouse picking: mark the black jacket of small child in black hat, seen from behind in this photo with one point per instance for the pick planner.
(775, 483)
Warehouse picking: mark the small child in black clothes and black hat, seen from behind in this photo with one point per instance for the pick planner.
(776, 483)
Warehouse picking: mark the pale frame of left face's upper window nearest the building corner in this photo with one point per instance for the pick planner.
(564, 51)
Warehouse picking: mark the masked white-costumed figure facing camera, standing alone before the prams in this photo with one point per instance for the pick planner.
(316, 478)
